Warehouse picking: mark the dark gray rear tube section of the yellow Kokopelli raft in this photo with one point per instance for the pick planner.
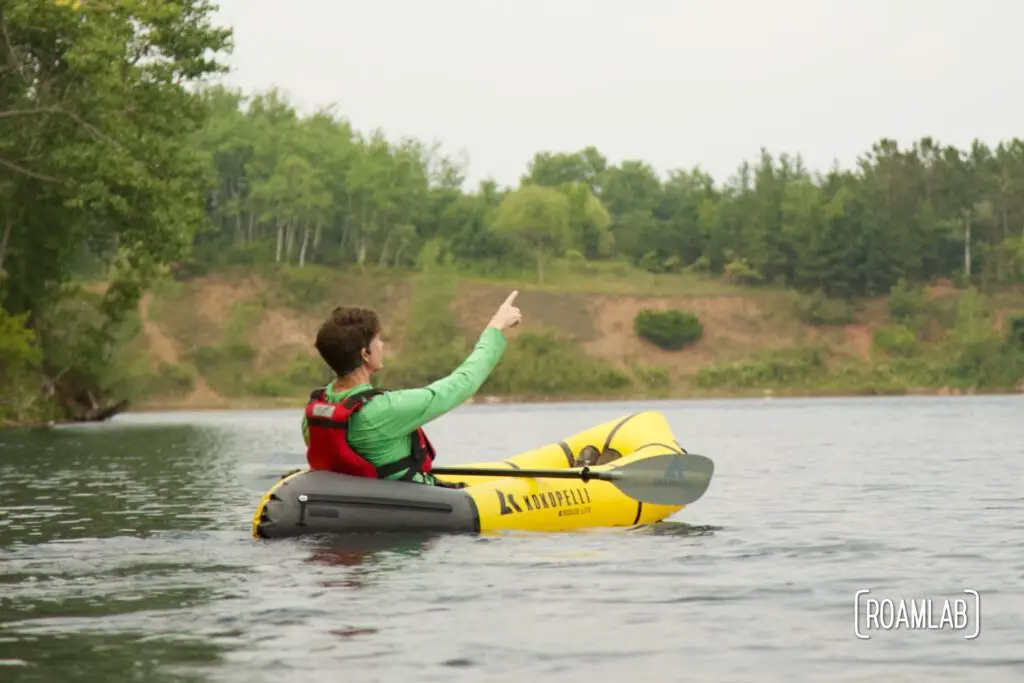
(329, 503)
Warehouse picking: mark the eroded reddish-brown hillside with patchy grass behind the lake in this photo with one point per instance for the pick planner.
(246, 339)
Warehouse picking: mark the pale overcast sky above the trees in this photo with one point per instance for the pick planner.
(677, 83)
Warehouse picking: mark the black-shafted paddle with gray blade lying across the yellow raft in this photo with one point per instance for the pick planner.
(668, 480)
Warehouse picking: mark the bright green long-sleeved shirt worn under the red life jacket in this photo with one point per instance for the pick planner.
(382, 432)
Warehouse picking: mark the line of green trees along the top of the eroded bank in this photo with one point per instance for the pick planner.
(294, 189)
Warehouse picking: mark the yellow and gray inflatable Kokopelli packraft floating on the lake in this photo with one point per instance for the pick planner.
(643, 477)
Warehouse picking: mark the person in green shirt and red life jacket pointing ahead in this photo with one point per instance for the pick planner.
(350, 428)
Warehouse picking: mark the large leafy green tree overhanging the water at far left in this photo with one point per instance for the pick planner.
(96, 120)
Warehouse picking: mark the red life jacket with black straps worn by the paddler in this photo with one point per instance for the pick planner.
(329, 448)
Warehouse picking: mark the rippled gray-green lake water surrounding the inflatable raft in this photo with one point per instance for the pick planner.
(125, 557)
